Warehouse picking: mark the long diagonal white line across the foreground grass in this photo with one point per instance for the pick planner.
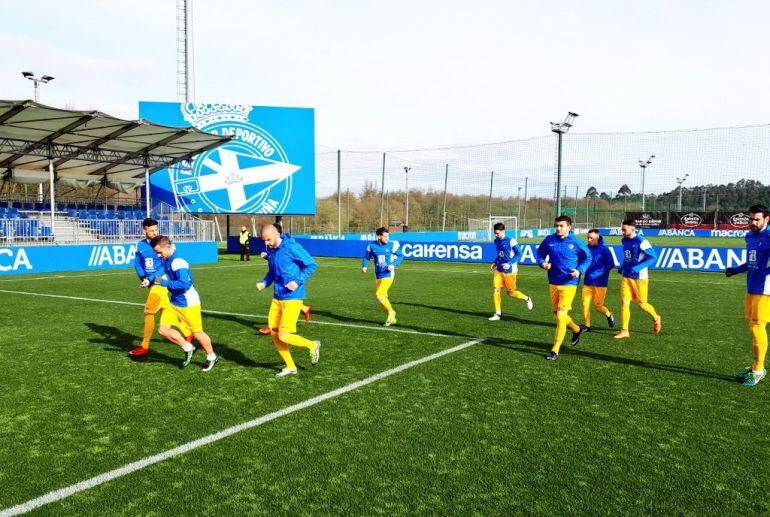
(58, 495)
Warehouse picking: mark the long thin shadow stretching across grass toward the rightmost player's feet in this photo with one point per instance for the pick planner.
(541, 349)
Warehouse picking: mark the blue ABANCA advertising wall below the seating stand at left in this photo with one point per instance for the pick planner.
(48, 259)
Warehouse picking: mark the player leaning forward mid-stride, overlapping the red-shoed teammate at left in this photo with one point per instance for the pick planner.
(185, 306)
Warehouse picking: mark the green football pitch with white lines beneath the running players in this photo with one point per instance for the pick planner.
(446, 413)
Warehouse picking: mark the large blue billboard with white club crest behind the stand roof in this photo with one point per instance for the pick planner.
(267, 168)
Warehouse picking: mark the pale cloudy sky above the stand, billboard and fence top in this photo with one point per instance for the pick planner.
(408, 74)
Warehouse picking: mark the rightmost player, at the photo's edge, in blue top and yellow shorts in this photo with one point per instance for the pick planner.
(757, 302)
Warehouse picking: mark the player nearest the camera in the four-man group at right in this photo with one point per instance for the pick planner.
(565, 257)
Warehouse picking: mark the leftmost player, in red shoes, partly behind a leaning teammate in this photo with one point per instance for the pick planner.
(147, 265)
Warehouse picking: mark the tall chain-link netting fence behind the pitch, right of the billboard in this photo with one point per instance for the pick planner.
(603, 176)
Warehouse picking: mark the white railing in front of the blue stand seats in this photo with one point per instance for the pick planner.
(69, 230)
